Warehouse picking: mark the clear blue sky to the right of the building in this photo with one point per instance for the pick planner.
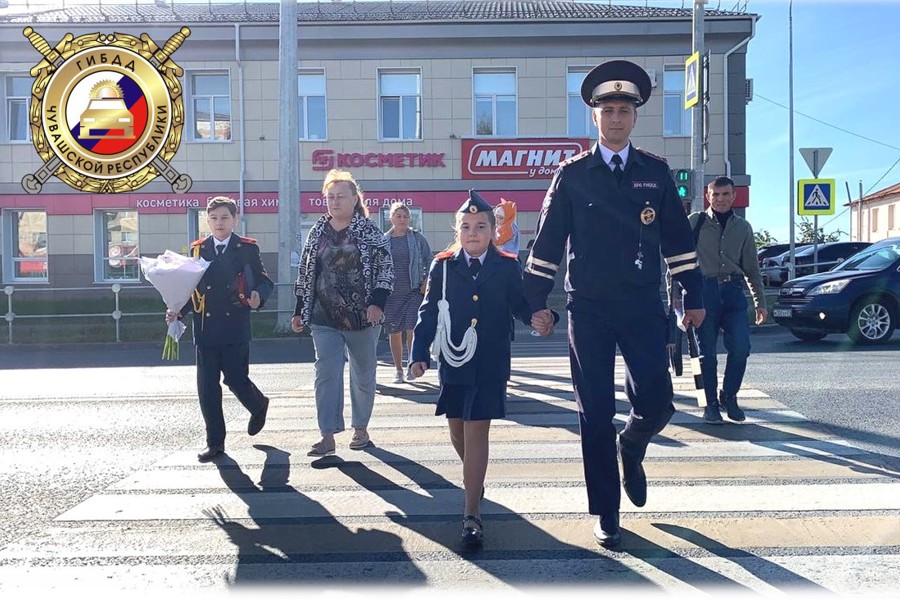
(846, 64)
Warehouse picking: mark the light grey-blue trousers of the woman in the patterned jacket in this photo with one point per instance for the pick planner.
(332, 347)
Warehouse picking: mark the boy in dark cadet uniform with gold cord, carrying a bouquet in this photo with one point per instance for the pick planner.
(235, 282)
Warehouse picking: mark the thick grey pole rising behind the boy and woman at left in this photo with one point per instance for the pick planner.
(288, 161)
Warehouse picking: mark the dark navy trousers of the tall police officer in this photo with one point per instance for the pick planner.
(592, 350)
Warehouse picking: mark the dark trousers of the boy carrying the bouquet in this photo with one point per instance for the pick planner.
(232, 361)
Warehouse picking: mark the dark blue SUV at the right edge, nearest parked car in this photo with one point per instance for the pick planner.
(859, 297)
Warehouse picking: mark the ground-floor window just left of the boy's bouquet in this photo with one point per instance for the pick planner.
(116, 249)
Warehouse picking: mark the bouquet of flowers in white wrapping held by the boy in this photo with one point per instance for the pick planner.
(174, 276)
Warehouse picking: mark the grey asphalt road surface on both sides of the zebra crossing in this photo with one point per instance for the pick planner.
(73, 419)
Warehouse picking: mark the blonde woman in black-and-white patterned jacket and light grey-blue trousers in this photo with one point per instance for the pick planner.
(344, 279)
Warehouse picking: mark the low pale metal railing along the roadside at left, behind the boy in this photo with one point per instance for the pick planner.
(117, 314)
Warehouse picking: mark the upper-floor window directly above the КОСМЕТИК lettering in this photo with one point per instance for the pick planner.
(400, 105)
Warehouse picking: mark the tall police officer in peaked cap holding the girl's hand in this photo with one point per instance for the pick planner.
(612, 210)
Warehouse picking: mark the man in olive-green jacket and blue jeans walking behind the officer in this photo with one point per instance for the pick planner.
(726, 251)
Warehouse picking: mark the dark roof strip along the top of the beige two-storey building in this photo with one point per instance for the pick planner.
(167, 11)
